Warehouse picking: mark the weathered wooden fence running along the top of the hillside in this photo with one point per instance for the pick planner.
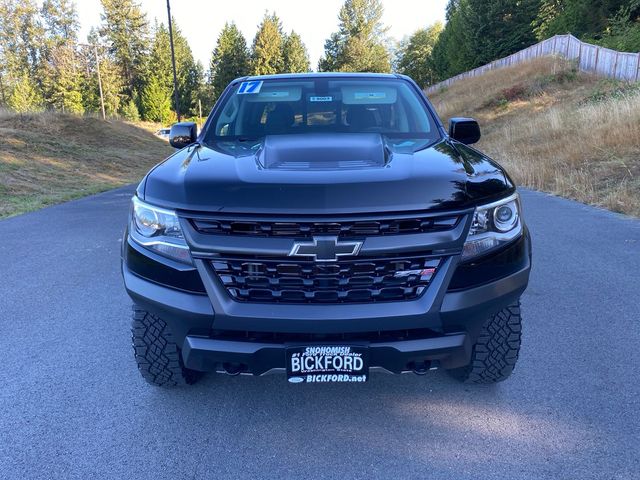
(590, 58)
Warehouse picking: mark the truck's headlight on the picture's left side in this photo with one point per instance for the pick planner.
(158, 230)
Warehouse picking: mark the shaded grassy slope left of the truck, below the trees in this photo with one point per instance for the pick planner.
(48, 158)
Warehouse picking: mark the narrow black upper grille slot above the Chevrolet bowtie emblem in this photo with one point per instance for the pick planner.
(342, 229)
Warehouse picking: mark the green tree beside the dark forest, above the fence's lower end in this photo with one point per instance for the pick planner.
(414, 55)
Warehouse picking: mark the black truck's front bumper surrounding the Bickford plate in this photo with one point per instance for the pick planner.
(439, 328)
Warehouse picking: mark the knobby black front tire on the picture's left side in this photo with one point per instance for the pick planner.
(157, 355)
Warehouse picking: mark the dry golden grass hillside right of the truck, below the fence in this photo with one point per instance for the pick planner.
(557, 130)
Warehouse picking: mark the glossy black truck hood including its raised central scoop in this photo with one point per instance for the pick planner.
(320, 174)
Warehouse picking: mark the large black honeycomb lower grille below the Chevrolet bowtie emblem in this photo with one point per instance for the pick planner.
(348, 281)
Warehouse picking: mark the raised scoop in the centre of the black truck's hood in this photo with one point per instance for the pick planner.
(346, 151)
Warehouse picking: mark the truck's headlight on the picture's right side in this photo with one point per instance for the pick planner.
(493, 225)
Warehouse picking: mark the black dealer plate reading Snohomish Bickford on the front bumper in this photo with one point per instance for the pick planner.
(327, 364)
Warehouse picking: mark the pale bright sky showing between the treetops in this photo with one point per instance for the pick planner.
(201, 20)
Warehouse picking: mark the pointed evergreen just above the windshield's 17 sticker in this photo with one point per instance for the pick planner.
(229, 60)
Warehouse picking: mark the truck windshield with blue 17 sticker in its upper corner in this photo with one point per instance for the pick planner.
(254, 109)
